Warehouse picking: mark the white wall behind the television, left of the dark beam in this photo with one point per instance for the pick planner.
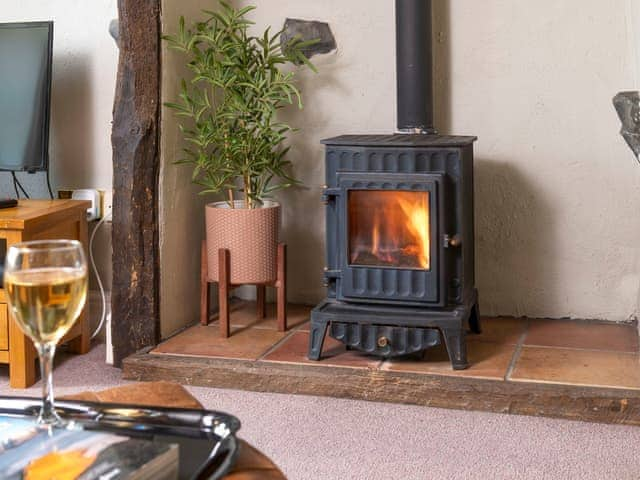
(85, 62)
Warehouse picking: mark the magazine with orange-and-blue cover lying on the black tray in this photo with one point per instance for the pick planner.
(32, 453)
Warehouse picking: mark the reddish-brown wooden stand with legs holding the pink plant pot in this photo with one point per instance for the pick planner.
(225, 285)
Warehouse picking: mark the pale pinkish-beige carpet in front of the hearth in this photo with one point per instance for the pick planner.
(324, 438)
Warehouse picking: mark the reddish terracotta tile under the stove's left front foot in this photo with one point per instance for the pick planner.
(334, 353)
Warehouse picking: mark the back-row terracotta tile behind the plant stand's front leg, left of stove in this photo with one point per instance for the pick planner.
(243, 314)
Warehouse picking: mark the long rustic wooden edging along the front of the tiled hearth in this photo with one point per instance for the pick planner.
(594, 404)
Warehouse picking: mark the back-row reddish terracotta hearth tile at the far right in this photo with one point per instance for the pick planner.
(581, 334)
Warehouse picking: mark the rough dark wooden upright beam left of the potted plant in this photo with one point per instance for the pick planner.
(136, 161)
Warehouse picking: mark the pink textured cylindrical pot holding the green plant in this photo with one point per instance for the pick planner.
(250, 235)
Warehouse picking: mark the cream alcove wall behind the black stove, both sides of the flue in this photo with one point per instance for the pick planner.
(557, 190)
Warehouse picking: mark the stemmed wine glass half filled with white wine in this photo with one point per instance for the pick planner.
(46, 286)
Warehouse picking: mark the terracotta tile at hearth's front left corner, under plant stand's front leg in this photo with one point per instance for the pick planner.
(244, 343)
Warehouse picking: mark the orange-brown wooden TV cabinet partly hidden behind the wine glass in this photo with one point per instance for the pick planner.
(38, 220)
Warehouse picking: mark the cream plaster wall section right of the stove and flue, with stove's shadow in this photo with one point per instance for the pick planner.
(557, 190)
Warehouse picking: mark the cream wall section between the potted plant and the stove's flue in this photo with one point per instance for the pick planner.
(353, 92)
